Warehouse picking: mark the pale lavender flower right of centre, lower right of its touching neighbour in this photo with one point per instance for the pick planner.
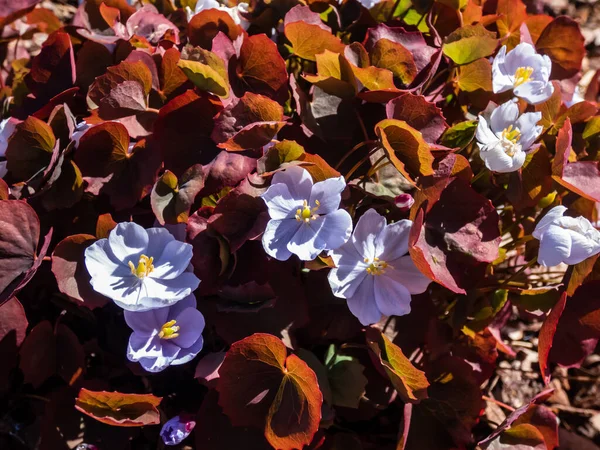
(373, 271)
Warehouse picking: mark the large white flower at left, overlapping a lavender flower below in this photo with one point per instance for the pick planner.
(141, 269)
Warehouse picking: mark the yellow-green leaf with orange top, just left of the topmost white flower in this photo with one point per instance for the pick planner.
(469, 43)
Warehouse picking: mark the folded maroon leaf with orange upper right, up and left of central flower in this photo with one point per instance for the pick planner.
(249, 123)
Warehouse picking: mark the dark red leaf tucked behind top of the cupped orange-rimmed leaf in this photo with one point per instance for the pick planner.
(420, 114)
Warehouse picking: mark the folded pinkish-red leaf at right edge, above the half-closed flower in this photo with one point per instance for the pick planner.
(580, 177)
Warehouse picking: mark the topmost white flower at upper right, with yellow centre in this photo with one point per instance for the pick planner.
(524, 71)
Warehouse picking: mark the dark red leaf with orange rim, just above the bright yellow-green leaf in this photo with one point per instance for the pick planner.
(205, 25)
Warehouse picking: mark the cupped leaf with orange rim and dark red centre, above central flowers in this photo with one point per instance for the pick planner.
(405, 148)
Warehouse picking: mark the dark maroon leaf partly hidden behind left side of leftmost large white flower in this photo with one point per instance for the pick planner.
(69, 269)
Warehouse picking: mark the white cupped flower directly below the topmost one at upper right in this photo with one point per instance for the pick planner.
(505, 138)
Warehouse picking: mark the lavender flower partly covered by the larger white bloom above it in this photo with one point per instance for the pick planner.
(164, 337)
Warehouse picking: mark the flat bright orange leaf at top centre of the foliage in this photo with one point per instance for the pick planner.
(309, 40)
